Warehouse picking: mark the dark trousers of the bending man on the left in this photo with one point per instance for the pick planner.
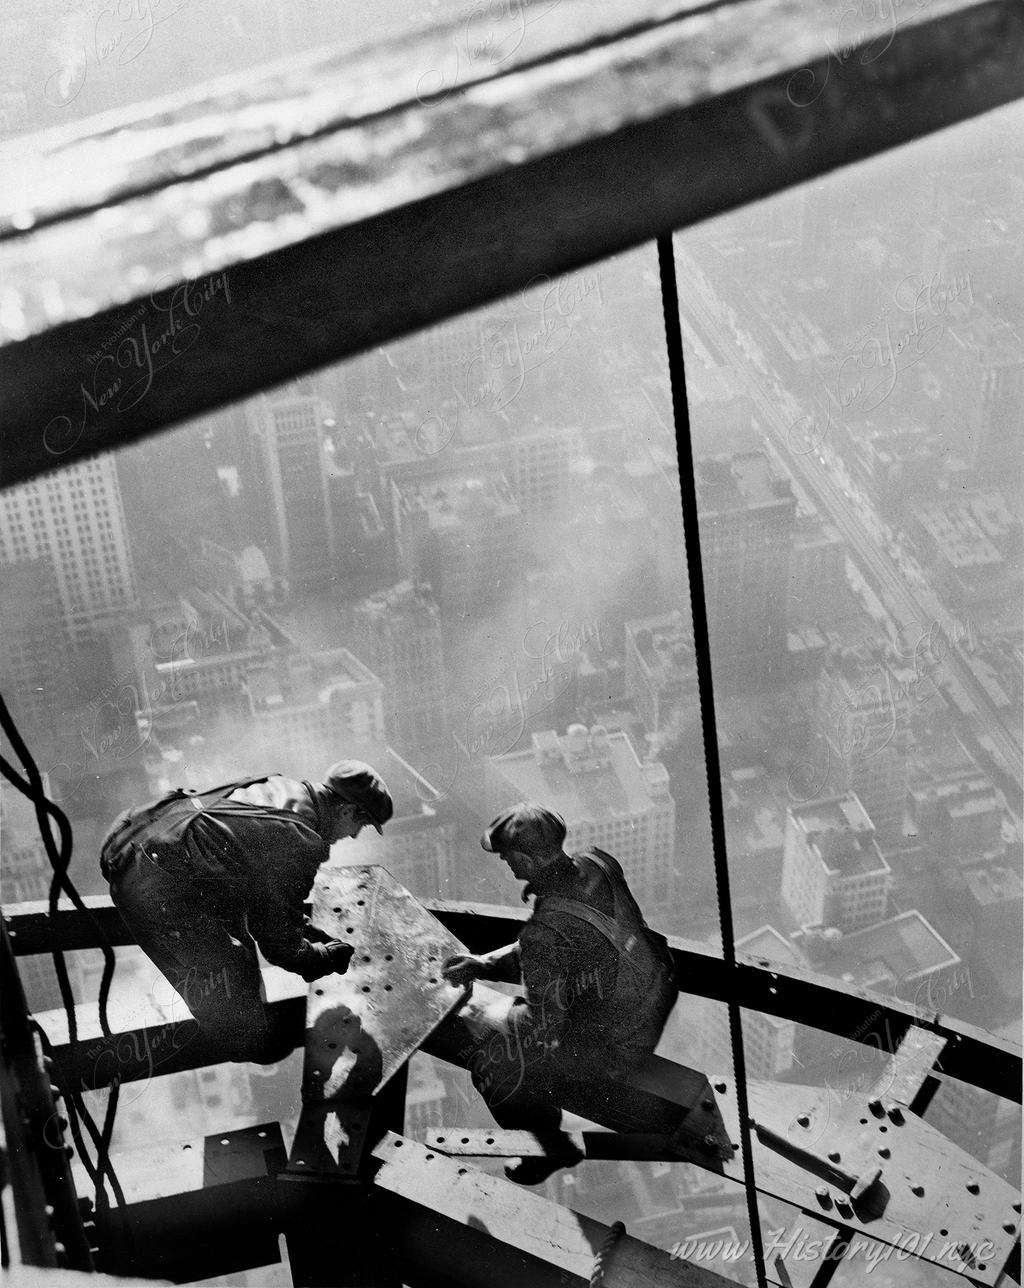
(202, 945)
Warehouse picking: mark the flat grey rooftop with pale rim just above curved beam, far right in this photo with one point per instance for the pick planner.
(891, 954)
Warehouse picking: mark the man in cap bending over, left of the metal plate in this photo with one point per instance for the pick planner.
(203, 879)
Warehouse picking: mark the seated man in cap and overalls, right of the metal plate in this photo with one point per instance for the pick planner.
(600, 986)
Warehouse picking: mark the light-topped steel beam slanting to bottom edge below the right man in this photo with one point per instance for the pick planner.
(484, 1231)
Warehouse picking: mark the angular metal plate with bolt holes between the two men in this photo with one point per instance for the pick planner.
(364, 1026)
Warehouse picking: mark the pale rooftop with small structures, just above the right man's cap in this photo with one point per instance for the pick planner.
(584, 775)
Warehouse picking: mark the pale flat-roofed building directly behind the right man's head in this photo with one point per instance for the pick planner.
(596, 781)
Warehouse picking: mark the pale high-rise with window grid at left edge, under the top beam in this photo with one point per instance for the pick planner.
(75, 520)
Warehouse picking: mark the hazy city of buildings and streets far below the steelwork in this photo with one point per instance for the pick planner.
(460, 557)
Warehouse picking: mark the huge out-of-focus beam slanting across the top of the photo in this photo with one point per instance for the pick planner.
(333, 245)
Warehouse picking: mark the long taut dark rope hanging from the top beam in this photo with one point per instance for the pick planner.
(706, 696)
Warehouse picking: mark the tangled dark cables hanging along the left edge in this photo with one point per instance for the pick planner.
(60, 857)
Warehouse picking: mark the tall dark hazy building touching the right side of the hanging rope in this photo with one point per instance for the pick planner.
(748, 516)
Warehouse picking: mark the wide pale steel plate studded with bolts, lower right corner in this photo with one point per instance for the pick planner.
(887, 1177)
